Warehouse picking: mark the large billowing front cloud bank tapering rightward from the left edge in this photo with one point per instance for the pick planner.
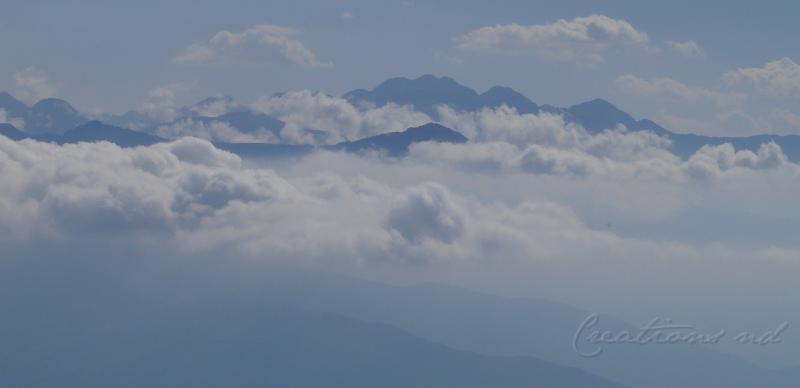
(189, 198)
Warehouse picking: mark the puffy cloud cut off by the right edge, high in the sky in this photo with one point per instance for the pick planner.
(777, 78)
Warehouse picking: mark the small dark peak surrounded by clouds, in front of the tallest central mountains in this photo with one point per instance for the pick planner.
(397, 143)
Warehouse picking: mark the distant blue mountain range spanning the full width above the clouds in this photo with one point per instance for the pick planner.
(52, 119)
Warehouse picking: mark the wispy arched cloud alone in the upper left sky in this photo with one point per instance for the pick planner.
(254, 42)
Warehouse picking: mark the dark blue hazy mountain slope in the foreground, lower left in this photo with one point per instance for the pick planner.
(123, 325)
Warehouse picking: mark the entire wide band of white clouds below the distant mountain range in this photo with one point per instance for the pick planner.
(189, 199)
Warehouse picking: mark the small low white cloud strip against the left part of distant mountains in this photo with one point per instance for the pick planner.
(218, 131)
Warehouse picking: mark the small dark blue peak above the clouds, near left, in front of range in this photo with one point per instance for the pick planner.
(95, 131)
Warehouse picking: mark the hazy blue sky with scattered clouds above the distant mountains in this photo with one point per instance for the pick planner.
(674, 65)
